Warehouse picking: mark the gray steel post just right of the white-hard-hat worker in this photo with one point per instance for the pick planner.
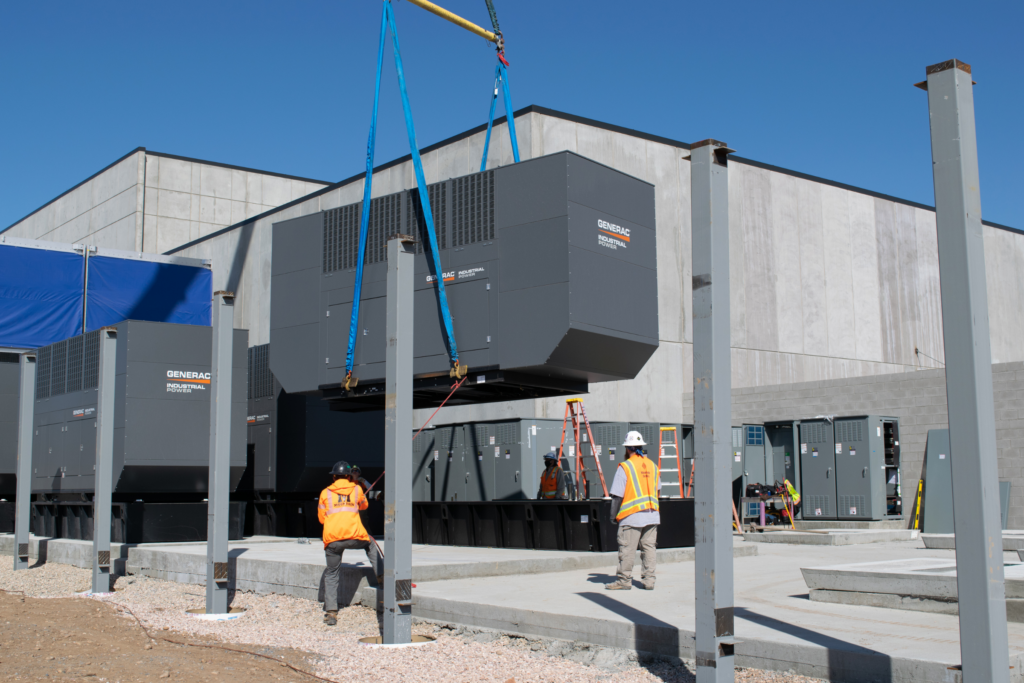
(712, 412)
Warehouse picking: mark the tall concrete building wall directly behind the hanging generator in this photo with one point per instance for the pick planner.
(827, 282)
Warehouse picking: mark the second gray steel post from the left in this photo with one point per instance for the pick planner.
(102, 498)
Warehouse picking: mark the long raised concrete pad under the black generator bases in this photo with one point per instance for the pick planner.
(283, 566)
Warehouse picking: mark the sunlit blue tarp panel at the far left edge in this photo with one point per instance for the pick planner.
(40, 296)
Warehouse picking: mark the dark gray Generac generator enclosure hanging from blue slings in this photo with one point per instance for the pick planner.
(550, 269)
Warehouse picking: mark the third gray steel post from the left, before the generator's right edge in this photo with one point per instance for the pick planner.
(221, 454)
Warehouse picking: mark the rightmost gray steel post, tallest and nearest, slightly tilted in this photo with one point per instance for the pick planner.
(985, 650)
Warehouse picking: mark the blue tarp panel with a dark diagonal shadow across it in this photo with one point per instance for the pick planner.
(130, 290)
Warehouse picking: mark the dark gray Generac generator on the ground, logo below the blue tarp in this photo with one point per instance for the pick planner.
(162, 411)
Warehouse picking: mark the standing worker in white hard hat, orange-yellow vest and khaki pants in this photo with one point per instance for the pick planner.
(634, 506)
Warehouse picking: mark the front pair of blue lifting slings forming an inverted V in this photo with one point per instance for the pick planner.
(388, 22)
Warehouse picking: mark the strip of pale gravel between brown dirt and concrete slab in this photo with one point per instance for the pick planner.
(273, 623)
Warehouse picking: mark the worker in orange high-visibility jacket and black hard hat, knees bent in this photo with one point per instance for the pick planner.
(339, 514)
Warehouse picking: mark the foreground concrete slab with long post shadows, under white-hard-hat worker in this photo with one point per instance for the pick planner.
(779, 628)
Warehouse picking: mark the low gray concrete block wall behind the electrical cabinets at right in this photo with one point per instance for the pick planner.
(918, 399)
